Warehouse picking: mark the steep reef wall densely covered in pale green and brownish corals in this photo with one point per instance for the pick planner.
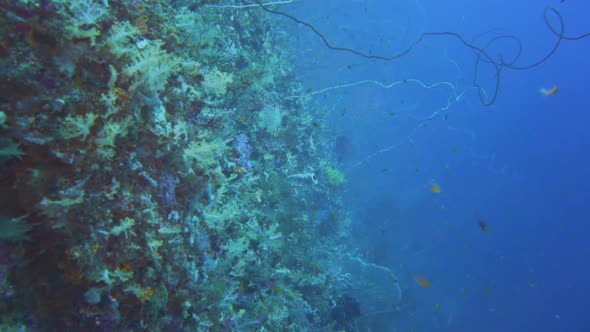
(157, 176)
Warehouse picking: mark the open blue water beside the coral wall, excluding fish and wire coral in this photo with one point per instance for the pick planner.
(520, 165)
